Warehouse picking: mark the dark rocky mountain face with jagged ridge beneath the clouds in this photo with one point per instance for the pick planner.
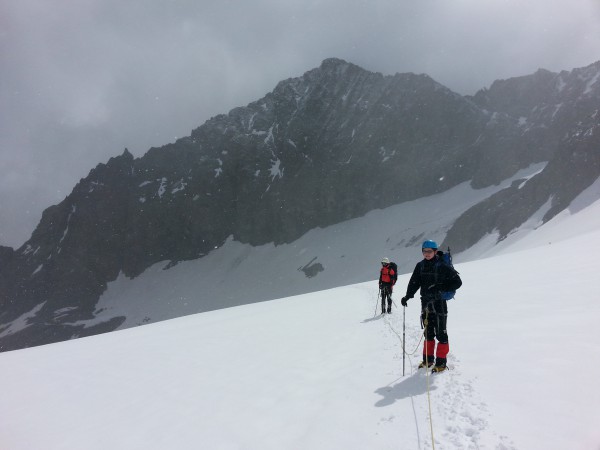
(320, 149)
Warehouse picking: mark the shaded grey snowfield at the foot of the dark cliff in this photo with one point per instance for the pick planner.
(236, 273)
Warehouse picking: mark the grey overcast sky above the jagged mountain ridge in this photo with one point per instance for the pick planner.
(80, 80)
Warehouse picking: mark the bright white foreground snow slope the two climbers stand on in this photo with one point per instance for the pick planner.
(320, 371)
